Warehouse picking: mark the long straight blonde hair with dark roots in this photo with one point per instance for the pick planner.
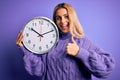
(74, 24)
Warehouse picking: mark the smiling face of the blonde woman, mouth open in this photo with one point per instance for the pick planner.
(62, 20)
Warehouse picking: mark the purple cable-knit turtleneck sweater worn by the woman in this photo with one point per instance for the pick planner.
(57, 65)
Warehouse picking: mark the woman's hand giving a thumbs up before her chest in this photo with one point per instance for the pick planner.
(72, 48)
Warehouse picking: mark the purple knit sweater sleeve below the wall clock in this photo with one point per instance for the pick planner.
(34, 64)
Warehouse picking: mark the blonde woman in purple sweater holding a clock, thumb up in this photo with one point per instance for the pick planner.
(74, 57)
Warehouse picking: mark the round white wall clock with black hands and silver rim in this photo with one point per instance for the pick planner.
(40, 35)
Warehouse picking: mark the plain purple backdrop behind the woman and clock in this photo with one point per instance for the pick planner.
(100, 20)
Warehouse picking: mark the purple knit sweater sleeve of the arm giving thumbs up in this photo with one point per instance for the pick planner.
(99, 62)
